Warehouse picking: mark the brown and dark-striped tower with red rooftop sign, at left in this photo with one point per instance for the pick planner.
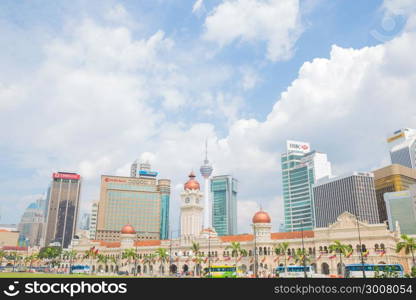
(63, 204)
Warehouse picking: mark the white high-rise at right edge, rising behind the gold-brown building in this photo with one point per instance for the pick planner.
(403, 147)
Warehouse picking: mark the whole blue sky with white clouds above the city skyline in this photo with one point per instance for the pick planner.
(91, 86)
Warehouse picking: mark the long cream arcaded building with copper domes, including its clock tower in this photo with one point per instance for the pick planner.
(378, 244)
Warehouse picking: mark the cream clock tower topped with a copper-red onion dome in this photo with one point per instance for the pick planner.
(192, 208)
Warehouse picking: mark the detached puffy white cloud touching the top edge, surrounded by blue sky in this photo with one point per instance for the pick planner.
(275, 22)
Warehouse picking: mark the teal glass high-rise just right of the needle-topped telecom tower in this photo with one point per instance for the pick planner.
(224, 204)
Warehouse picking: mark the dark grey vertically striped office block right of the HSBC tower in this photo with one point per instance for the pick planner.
(353, 193)
